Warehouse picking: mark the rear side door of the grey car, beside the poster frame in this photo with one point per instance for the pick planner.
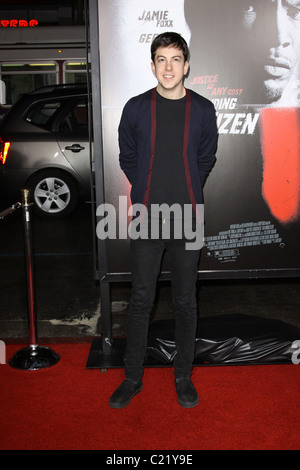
(73, 140)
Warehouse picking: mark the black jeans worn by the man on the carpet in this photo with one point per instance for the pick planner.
(146, 258)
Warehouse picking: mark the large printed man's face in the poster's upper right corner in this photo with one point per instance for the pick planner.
(273, 30)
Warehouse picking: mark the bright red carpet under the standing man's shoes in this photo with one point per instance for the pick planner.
(66, 407)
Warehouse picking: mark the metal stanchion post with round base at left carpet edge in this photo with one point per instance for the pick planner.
(33, 357)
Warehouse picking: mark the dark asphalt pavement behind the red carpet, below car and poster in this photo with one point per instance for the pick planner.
(67, 304)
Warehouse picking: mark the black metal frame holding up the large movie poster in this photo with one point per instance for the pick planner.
(105, 277)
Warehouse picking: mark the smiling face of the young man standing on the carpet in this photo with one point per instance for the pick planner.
(169, 67)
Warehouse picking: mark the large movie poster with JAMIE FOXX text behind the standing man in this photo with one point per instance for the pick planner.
(245, 59)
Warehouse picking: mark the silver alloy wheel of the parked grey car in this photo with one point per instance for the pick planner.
(54, 193)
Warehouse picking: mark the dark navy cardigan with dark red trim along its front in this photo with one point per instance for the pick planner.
(137, 132)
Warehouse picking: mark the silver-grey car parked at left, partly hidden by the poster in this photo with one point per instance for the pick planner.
(44, 146)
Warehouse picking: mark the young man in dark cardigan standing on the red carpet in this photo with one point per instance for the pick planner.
(167, 139)
